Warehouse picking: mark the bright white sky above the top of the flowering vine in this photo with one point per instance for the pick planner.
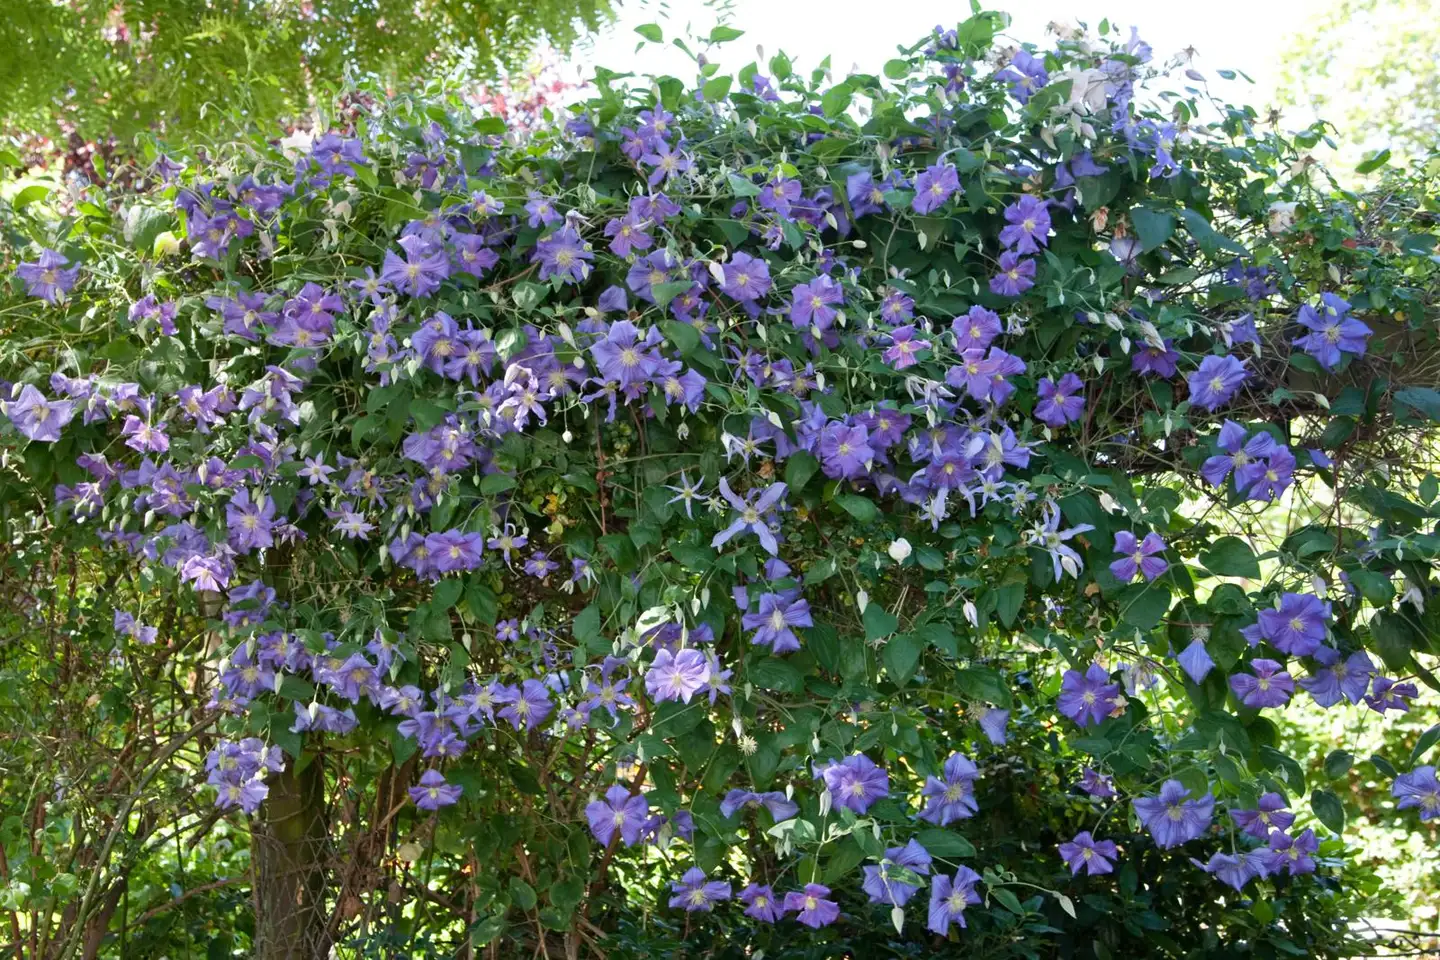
(1246, 35)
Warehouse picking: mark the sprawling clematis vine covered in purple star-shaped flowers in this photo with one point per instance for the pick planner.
(783, 513)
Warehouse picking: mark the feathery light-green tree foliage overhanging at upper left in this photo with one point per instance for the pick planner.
(185, 65)
